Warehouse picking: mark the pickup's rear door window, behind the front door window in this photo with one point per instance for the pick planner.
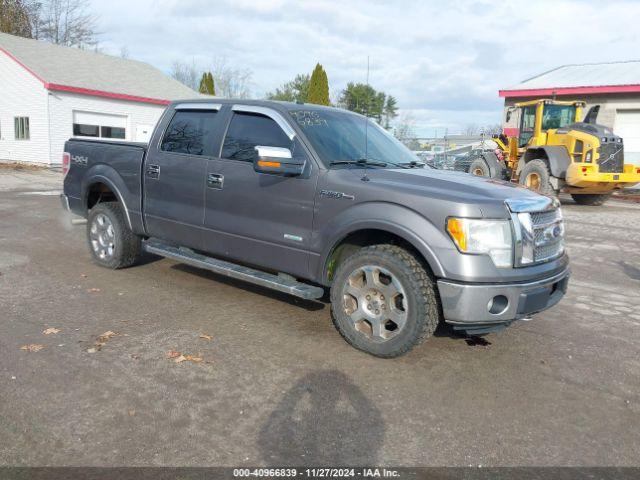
(191, 132)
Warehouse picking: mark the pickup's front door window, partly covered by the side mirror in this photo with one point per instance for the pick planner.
(248, 130)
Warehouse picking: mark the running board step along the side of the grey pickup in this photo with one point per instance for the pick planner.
(281, 283)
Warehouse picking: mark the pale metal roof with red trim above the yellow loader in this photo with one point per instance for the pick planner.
(614, 77)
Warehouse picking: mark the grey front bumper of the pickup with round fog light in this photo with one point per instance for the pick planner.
(493, 304)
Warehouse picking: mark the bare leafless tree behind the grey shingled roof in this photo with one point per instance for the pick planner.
(66, 22)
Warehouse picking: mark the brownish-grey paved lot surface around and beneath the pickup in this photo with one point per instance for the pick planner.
(278, 385)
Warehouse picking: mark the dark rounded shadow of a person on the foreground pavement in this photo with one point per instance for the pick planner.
(324, 419)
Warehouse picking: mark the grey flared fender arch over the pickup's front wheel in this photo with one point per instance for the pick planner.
(414, 229)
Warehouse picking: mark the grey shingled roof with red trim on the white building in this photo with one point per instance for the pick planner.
(81, 71)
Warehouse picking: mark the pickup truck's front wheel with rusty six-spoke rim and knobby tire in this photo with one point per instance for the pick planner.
(383, 301)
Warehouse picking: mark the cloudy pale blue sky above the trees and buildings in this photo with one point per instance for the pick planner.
(443, 61)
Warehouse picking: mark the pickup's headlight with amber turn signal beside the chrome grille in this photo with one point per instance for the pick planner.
(490, 237)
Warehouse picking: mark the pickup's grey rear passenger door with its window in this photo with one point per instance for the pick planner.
(174, 174)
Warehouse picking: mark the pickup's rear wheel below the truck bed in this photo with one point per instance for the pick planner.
(123, 247)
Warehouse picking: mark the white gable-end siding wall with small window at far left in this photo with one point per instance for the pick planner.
(22, 95)
